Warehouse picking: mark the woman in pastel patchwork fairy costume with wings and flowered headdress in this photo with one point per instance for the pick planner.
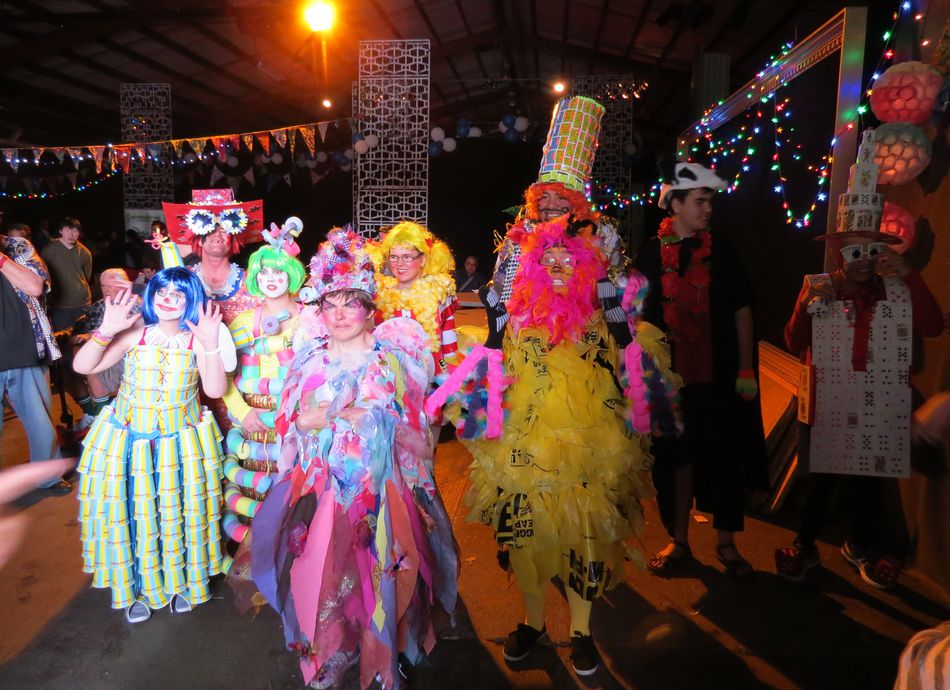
(353, 547)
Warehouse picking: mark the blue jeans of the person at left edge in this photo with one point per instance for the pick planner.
(28, 392)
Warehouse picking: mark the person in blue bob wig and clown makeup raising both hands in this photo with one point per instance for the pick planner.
(150, 486)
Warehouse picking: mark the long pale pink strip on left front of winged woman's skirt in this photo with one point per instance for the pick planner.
(306, 576)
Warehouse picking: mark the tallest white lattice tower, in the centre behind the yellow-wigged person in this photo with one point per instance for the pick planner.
(391, 100)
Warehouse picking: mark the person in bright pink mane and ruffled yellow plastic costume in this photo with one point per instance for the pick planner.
(562, 484)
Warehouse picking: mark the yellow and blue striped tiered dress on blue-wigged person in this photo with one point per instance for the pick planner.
(150, 484)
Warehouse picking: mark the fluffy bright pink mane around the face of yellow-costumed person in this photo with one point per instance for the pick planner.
(534, 303)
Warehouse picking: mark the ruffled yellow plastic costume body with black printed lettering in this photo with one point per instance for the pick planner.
(562, 486)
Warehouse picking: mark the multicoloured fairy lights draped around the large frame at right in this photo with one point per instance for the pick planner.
(747, 144)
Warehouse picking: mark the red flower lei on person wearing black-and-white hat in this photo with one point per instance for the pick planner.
(681, 318)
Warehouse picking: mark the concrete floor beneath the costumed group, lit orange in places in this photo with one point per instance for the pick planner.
(700, 630)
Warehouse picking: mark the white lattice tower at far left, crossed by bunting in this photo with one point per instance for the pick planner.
(146, 111)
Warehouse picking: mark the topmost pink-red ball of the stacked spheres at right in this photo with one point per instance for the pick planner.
(906, 92)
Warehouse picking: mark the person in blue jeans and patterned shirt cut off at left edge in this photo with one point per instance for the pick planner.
(26, 347)
